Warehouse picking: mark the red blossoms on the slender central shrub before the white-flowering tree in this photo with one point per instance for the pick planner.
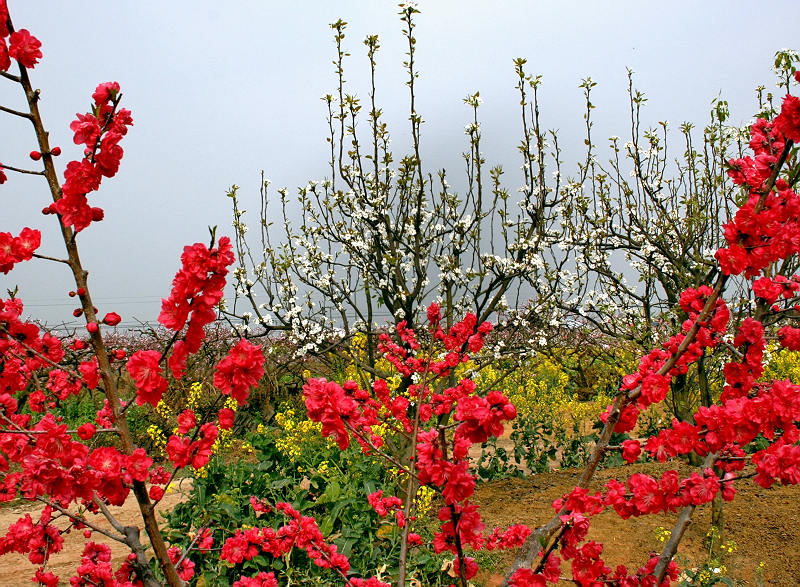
(345, 410)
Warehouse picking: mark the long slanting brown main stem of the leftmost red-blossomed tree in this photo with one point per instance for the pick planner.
(80, 275)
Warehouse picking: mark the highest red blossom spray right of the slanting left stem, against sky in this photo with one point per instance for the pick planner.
(101, 131)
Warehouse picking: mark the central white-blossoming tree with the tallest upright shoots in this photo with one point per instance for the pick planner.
(385, 235)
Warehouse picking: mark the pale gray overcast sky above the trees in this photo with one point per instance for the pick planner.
(220, 91)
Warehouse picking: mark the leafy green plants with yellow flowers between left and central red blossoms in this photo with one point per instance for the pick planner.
(295, 464)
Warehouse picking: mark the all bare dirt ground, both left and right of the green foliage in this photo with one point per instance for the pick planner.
(764, 524)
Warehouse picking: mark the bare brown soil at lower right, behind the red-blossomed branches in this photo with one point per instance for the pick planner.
(763, 524)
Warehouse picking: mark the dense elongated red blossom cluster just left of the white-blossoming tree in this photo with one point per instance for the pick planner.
(197, 287)
